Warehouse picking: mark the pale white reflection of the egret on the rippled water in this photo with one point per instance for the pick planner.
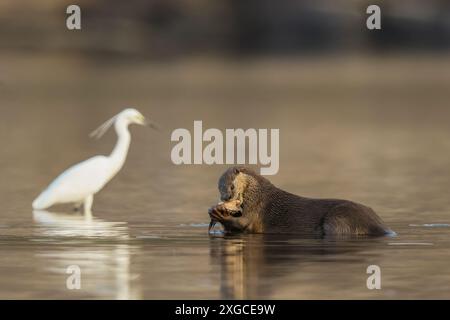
(100, 248)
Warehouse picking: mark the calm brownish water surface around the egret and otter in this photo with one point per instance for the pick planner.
(372, 131)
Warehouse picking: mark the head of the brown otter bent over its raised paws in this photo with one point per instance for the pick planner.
(236, 181)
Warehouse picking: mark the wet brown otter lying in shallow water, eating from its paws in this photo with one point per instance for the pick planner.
(261, 207)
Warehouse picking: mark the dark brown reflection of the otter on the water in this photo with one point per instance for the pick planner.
(263, 266)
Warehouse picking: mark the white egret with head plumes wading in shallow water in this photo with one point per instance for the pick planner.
(79, 183)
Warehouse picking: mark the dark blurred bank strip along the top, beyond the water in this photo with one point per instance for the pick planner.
(163, 29)
